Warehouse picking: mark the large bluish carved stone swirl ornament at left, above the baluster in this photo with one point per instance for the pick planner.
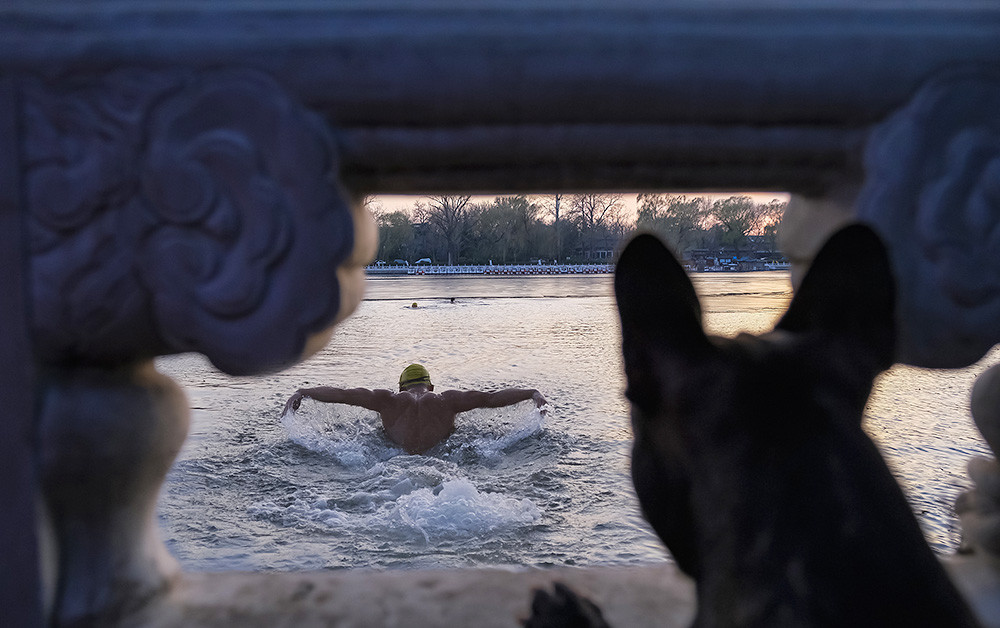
(176, 211)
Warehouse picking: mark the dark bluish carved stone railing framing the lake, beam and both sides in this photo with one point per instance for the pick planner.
(178, 176)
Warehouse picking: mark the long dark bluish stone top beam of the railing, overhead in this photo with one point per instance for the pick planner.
(537, 95)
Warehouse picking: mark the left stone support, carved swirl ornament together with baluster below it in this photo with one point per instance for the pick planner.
(166, 211)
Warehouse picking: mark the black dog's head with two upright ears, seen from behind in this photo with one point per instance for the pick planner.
(710, 413)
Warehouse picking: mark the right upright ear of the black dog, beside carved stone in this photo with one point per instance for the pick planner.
(849, 291)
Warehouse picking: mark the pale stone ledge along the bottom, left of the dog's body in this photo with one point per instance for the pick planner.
(649, 595)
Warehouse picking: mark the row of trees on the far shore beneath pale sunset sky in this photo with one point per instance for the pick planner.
(576, 228)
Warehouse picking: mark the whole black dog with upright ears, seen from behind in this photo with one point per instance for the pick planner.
(749, 458)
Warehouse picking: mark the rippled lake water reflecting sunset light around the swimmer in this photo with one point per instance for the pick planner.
(322, 488)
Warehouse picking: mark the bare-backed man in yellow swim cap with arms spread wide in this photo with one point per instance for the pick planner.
(416, 418)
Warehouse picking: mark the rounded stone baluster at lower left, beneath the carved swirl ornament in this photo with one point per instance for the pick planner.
(107, 439)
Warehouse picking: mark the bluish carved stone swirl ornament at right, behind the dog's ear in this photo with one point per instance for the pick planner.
(932, 190)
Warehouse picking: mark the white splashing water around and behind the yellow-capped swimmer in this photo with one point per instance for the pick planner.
(423, 498)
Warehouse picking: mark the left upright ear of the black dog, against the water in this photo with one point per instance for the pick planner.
(660, 315)
